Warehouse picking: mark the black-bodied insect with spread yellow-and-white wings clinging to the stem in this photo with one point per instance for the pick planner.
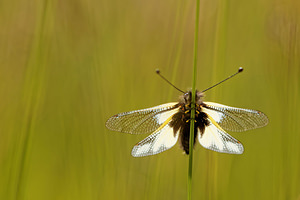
(170, 122)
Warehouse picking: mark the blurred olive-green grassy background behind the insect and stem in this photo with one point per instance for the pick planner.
(67, 66)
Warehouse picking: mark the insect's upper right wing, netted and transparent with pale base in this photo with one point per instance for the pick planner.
(235, 119)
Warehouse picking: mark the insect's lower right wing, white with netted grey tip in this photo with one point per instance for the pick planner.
(216, 139)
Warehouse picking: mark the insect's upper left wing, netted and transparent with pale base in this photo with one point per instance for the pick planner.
(142, 121)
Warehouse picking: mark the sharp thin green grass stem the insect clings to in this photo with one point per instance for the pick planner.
(191, 147)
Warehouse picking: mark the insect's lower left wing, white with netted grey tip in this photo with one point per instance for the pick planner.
(159, 141)
